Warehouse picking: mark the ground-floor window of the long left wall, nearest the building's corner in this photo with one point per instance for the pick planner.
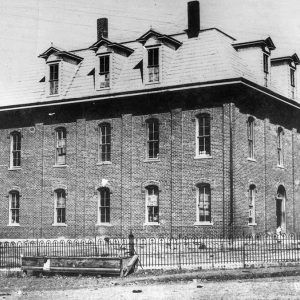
(204, 203)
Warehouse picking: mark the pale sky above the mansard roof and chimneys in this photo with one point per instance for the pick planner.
(27, 27)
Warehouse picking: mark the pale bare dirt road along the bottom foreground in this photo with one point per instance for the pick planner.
(262, 288)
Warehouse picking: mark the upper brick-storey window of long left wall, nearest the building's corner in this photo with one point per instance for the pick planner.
(203, 135)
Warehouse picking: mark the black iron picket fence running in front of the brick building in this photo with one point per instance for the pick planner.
(206, 252)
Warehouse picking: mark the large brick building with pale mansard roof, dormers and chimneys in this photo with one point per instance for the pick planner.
(189, 133)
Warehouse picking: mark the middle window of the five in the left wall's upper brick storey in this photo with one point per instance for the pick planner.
(104, 142)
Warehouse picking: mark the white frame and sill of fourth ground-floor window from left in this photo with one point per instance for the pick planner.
(154, 199)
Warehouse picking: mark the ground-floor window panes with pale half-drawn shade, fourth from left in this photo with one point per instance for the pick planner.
(152, 208)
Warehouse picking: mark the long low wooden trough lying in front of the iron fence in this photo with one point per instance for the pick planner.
(94, 265)
